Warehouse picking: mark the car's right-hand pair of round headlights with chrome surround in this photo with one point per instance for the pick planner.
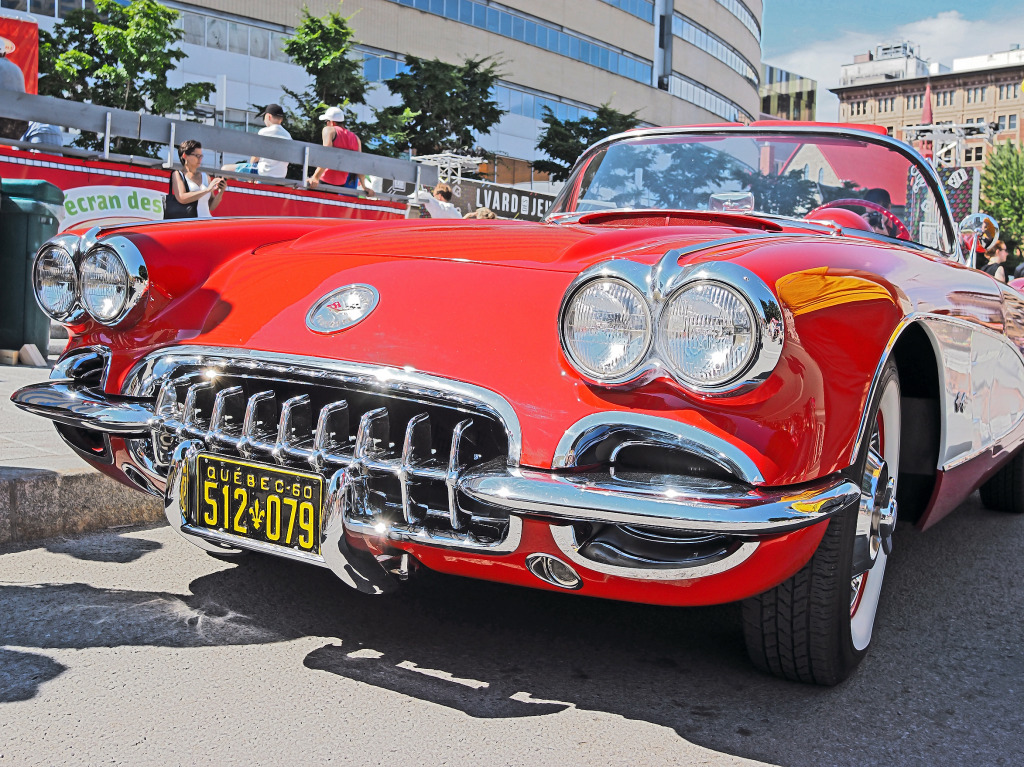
(715, 327)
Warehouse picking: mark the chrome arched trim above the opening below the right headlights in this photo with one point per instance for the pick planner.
(658, 432)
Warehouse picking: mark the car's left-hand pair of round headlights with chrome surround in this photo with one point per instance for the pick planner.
(108, 281)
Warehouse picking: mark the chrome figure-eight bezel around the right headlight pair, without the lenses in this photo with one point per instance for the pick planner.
(664, 283)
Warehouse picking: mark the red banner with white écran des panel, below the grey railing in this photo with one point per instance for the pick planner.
(99, 193)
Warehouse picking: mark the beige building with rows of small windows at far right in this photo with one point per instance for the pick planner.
(976, 90)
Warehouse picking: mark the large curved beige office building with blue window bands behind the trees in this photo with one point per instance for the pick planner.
(673, 62)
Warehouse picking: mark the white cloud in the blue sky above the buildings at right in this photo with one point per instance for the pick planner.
(943, 38)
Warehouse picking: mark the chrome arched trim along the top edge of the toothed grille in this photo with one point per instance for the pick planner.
(146, 377)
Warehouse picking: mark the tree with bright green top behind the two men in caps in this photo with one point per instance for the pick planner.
(323, 47)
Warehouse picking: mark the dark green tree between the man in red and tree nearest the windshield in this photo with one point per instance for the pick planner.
(447, 103)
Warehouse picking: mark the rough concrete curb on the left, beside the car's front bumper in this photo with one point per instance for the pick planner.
(40, 503)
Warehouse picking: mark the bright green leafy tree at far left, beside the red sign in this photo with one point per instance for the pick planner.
(118, 56)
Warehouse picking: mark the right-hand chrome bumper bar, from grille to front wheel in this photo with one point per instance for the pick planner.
(688, 504)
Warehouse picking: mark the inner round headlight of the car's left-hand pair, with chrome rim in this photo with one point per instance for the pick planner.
(114, 282)
